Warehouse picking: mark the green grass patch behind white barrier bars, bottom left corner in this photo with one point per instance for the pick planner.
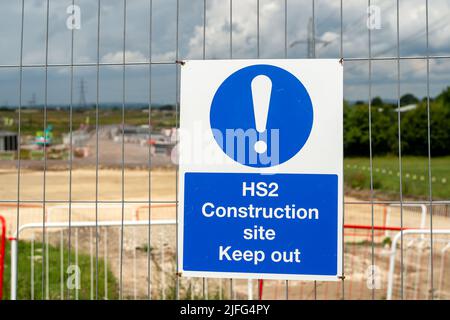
(54, 271)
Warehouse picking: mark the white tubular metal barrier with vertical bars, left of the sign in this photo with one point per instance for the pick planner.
(80, 279)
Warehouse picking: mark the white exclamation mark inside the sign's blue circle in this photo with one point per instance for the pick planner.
(261, 91)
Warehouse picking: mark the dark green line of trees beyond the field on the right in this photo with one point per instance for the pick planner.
(384, 128)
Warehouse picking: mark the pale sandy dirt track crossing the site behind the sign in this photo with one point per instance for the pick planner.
(136, 188)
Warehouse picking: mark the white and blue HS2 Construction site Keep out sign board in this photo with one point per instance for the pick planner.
(260, 172)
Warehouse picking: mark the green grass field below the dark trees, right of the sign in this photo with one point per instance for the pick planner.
(386, 176)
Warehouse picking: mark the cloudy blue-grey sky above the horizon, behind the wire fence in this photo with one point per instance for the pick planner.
(412, 37)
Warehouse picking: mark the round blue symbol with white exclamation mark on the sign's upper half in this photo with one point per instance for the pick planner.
(262, 92)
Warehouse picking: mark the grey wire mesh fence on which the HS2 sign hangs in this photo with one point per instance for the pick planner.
(89, 107)
